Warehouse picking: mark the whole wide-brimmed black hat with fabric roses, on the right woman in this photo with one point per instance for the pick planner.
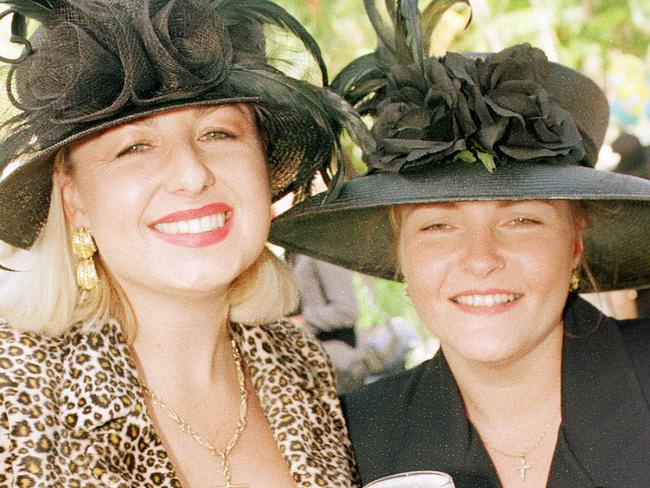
(466, 127)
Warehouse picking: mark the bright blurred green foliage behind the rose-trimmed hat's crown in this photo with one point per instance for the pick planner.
(606, 39)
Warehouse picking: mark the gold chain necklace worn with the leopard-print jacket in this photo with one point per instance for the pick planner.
(185, 426)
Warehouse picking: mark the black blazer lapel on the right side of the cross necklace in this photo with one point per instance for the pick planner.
(605, 439)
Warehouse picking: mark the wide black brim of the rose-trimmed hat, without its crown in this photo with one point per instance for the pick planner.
(354, 230)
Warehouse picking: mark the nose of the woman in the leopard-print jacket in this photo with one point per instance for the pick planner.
(188, 171)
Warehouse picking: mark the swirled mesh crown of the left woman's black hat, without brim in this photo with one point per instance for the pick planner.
(94, 59)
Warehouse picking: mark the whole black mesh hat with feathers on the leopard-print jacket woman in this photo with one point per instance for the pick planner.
(93, 64)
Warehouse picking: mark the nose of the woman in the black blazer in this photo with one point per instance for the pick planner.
(482, 255)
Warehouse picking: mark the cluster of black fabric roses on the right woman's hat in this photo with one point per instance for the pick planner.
(489, 110)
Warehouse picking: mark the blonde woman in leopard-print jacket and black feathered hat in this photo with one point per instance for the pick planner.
(142, 341)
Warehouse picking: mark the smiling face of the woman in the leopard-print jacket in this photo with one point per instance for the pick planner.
(178, 202)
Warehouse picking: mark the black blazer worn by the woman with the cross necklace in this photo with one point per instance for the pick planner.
(416, 420)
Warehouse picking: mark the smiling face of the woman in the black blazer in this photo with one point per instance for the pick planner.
(490, 279)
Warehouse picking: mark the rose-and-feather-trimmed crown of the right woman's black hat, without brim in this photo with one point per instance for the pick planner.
(490, 108)
